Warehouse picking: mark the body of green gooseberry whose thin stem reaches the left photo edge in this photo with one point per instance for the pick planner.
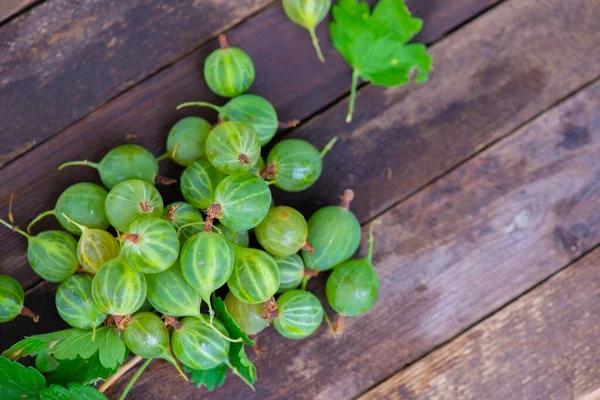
(53, 255)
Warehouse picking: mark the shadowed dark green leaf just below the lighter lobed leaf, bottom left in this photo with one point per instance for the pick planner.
(80, 370)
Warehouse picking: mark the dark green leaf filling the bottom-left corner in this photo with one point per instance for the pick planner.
(18, 382)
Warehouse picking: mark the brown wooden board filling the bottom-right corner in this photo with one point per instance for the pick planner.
(543, 346)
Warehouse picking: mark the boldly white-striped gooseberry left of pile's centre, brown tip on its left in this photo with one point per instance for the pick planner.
(151, 245)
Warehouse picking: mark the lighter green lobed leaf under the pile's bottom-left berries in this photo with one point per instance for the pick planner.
(78, 343)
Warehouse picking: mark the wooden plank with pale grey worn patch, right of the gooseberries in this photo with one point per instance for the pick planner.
(448, 256)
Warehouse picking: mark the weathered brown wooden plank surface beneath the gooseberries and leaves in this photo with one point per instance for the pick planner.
(456, 243)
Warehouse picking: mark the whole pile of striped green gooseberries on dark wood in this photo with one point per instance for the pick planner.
(127, 260)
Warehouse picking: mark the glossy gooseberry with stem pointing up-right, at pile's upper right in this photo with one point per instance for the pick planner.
(297, 164)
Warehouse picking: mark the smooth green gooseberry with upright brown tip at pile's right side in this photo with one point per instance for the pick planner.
(334, 234)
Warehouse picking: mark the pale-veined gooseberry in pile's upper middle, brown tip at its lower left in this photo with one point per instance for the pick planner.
(244, 199)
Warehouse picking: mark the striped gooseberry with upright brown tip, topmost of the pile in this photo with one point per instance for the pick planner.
(228, 71)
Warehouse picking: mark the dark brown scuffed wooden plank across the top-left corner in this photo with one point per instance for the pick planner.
(65, 58)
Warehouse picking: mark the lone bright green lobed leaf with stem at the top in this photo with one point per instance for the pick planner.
(375, 45)
